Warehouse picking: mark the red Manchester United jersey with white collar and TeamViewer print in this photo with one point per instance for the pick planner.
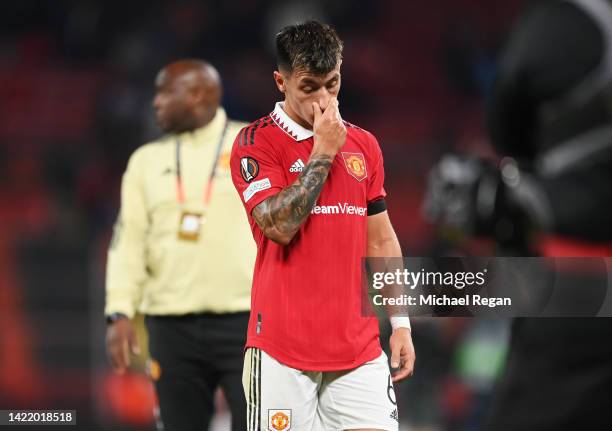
(306, 297)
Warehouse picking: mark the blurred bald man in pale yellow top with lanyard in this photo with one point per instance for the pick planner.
(183, 255)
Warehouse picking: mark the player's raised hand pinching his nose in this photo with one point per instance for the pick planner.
(329, 130)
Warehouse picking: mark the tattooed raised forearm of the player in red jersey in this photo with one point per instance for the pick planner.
(280, 216)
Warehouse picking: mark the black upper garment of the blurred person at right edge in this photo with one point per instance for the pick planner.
(545, 96)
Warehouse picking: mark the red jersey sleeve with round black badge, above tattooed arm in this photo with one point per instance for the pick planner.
(256, 170)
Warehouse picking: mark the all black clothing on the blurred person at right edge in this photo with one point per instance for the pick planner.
(553, 94)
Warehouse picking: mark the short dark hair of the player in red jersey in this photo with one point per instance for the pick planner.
(310, 45)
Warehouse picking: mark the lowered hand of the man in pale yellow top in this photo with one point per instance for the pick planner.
(120, 340)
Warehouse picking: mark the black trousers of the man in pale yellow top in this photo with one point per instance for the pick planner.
(197, 353)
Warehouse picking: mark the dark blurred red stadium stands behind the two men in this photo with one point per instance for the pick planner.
(76, 81)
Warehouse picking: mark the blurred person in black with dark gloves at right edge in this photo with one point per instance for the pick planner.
(550, 116)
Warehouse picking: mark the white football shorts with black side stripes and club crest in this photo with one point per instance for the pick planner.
(281, 398)
